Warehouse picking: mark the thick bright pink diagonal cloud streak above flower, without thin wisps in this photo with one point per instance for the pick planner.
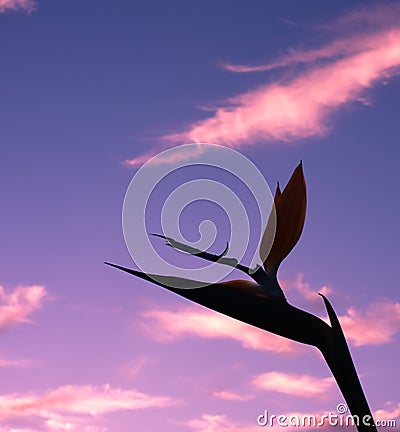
(300, 108)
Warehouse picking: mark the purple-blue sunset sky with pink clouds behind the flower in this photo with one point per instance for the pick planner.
(90, 91)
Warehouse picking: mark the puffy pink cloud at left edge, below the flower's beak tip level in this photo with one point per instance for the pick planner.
(17, 306)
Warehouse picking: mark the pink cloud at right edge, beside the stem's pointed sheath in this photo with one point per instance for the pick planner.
(377, 325)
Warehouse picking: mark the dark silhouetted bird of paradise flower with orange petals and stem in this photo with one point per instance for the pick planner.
(262, 303)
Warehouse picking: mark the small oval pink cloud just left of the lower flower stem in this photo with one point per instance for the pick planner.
(296, 385)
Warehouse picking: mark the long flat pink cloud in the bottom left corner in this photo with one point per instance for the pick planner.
(72, 407)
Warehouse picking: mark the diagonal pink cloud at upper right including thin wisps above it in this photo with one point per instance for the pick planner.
(332, 76)
